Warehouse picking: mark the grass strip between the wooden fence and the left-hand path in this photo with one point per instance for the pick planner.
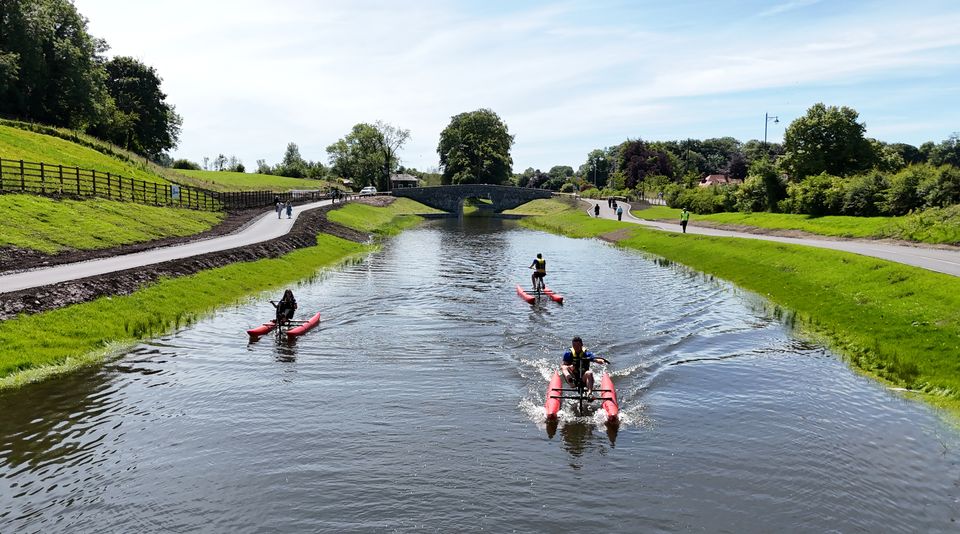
(51, 226)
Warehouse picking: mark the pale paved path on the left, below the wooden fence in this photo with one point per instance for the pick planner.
(265, 228)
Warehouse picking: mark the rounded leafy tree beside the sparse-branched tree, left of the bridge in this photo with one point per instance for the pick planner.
(358, 156)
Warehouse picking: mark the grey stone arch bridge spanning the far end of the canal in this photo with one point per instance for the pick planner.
(450, 197)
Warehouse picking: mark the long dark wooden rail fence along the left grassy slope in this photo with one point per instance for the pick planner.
(18, 176)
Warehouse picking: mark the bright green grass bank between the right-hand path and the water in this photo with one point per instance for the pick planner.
(895, 322)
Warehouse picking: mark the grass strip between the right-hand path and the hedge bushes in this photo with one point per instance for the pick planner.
(937, 225)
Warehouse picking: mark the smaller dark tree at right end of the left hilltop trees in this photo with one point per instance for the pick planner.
(150, 125)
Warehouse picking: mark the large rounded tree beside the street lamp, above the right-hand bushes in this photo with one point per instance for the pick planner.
(827, 139)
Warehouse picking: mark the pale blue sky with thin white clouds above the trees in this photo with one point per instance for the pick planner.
(250, 76)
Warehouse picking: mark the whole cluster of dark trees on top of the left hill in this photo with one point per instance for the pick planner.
(54, 72)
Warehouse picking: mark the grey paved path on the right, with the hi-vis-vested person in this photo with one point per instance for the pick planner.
(933, 259)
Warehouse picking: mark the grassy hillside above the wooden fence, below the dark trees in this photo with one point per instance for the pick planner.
(18, 144)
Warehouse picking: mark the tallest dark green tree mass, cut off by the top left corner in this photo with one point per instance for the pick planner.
(50, 68)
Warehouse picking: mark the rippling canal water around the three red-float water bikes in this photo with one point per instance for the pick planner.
(417, 406)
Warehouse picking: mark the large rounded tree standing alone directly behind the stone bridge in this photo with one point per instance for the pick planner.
(475, 149)
